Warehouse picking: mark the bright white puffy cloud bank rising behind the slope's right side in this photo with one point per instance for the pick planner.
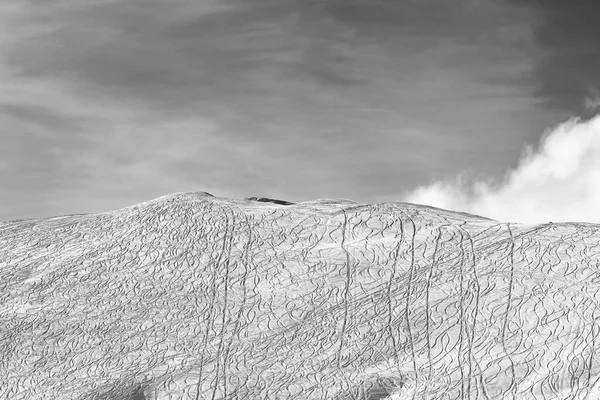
(558, 181)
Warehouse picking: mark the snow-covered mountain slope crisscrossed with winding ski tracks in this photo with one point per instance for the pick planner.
(191, 296)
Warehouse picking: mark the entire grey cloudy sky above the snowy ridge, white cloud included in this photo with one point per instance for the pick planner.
(107, 103)
